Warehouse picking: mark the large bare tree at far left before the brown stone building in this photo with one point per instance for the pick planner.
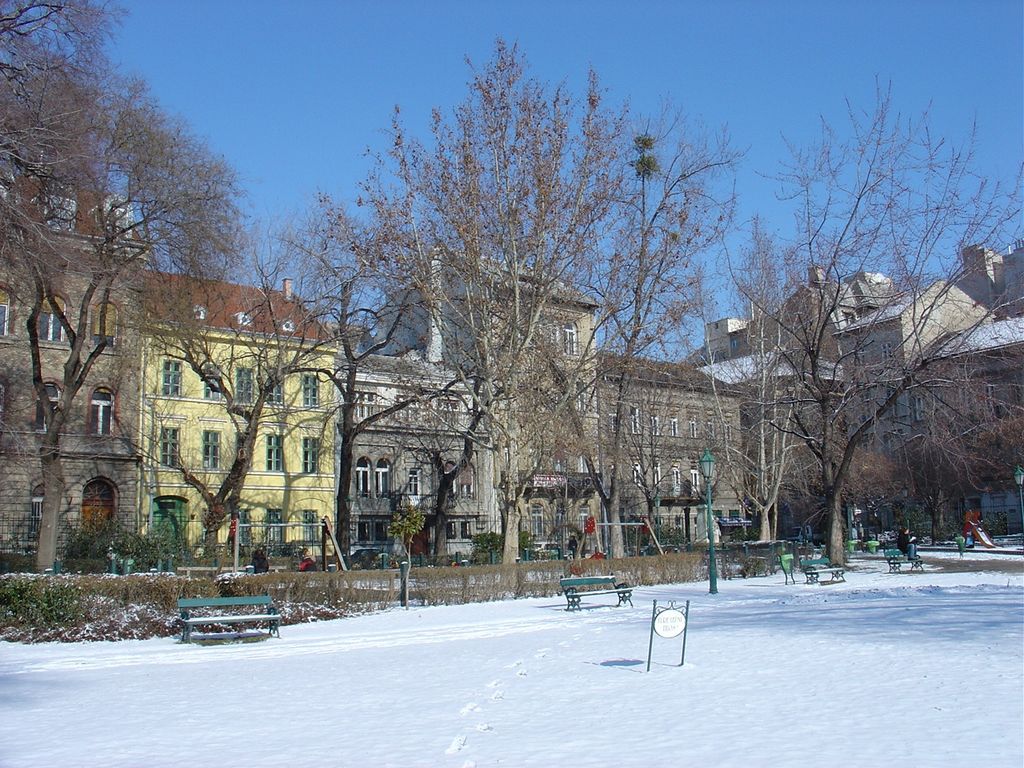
(97, 184)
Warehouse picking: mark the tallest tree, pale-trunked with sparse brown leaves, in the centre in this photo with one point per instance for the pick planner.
(499, 215)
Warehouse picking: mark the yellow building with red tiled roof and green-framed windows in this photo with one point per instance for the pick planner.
(237, 415)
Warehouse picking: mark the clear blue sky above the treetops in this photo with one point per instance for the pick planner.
(293, 94)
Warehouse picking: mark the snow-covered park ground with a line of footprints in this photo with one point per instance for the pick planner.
(916, 669)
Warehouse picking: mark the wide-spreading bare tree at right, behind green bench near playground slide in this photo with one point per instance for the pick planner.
(890, 199)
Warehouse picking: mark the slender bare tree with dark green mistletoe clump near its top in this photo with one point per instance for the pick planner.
(669, 211)
